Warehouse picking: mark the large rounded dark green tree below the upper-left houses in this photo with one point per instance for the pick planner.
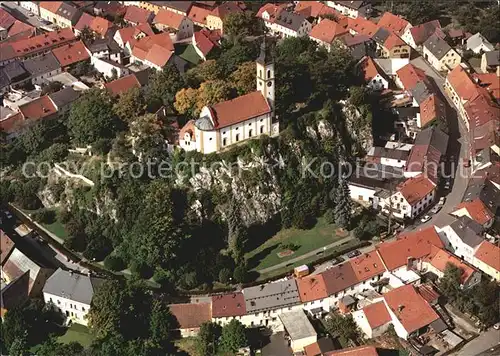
(92, 118)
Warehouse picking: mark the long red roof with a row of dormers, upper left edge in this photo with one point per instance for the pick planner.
(27, 46)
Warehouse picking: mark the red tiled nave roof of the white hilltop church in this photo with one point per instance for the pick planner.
(239, 109)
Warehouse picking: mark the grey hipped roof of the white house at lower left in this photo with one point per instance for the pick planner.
(70, 285)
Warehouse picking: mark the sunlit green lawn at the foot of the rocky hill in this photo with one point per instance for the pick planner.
(266, 255)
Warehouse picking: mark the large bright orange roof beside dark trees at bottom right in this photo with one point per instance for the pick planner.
(410, 308)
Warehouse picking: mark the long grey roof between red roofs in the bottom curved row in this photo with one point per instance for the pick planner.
(271, 296)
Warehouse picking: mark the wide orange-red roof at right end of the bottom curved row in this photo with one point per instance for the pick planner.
(415, 244)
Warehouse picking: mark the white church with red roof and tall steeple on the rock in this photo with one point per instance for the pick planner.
(233, 121)
